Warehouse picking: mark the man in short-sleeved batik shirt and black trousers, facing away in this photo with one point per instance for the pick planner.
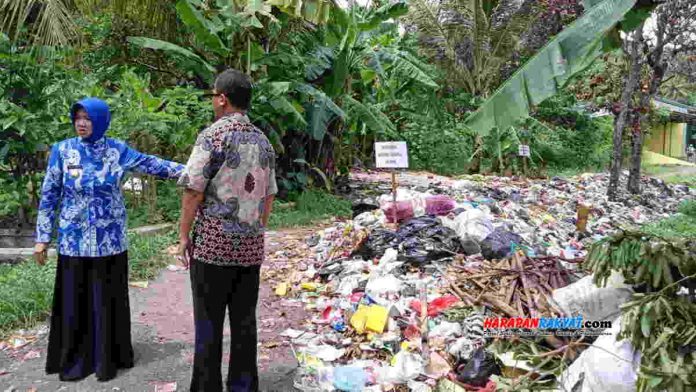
(230, 185)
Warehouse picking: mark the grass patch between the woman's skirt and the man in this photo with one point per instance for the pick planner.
(146, 254)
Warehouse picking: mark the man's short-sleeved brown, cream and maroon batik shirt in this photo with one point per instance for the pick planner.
(233, 165)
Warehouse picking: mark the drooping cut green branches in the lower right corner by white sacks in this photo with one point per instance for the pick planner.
(658, 324)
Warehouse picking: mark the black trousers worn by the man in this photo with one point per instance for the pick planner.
(215, 288)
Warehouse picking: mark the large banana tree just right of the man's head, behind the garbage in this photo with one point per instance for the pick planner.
(364, 69)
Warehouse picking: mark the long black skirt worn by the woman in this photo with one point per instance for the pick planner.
(90, 322)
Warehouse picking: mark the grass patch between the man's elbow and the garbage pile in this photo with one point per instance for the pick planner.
(310, 206)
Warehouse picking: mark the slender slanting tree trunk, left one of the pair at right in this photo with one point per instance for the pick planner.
(629, 90)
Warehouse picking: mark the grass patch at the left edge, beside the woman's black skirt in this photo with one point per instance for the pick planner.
(26, 294)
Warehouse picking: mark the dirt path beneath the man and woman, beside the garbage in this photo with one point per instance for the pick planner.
(162, 333)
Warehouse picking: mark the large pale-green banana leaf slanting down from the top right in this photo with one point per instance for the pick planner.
(547, 72)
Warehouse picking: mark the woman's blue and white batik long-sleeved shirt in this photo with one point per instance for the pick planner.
(83, 182)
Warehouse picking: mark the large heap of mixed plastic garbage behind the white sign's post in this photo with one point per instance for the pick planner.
(403, 307)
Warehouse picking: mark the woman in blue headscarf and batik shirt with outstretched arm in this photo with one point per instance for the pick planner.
(90, 321)
